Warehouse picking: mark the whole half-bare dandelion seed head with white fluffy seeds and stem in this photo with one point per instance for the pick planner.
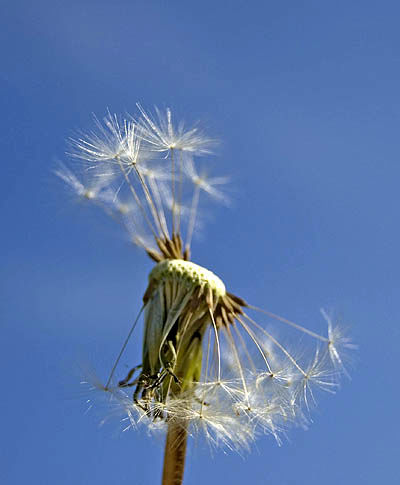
(209, 366)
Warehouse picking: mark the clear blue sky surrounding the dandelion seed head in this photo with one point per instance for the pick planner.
(305, 98)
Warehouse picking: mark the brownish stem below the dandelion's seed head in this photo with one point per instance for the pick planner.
(175, 453)
